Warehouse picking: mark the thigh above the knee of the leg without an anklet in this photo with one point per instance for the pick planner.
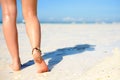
(9, 7)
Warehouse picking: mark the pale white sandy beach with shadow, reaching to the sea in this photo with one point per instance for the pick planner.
(71, 51)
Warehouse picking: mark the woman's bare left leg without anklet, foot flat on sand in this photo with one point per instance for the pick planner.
(9, 13)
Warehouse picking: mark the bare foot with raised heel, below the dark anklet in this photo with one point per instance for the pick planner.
(39, 62)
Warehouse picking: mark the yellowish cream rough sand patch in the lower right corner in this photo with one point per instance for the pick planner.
(108, 69)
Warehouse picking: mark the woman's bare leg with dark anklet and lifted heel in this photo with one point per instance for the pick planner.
(33, 29)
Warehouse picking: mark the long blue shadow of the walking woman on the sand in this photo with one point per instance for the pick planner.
(56, 56)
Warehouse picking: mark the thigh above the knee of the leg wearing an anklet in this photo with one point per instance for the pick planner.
(29, 7)
